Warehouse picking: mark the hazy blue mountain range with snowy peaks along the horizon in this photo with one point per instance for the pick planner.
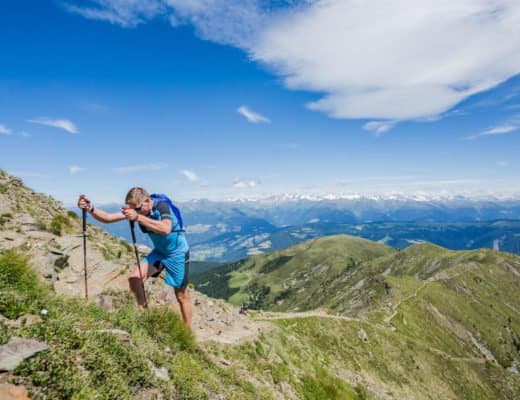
(228, 231)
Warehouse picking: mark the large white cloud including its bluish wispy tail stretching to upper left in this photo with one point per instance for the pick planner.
(373, 59)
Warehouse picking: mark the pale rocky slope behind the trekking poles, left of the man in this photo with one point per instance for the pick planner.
(51, 236)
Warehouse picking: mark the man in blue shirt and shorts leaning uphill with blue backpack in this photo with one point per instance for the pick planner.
(161, 220)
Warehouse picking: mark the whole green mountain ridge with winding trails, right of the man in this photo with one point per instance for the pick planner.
(425, 322)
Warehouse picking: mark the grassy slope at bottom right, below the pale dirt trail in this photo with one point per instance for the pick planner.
(338, 359)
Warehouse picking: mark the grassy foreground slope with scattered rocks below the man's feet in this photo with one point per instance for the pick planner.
(89, 356)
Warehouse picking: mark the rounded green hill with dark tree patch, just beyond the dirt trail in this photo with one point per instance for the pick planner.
(292, 279)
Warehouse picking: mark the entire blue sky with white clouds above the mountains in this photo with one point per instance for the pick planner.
(223, 99)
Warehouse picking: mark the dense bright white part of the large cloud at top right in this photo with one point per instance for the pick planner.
(379, 59)
